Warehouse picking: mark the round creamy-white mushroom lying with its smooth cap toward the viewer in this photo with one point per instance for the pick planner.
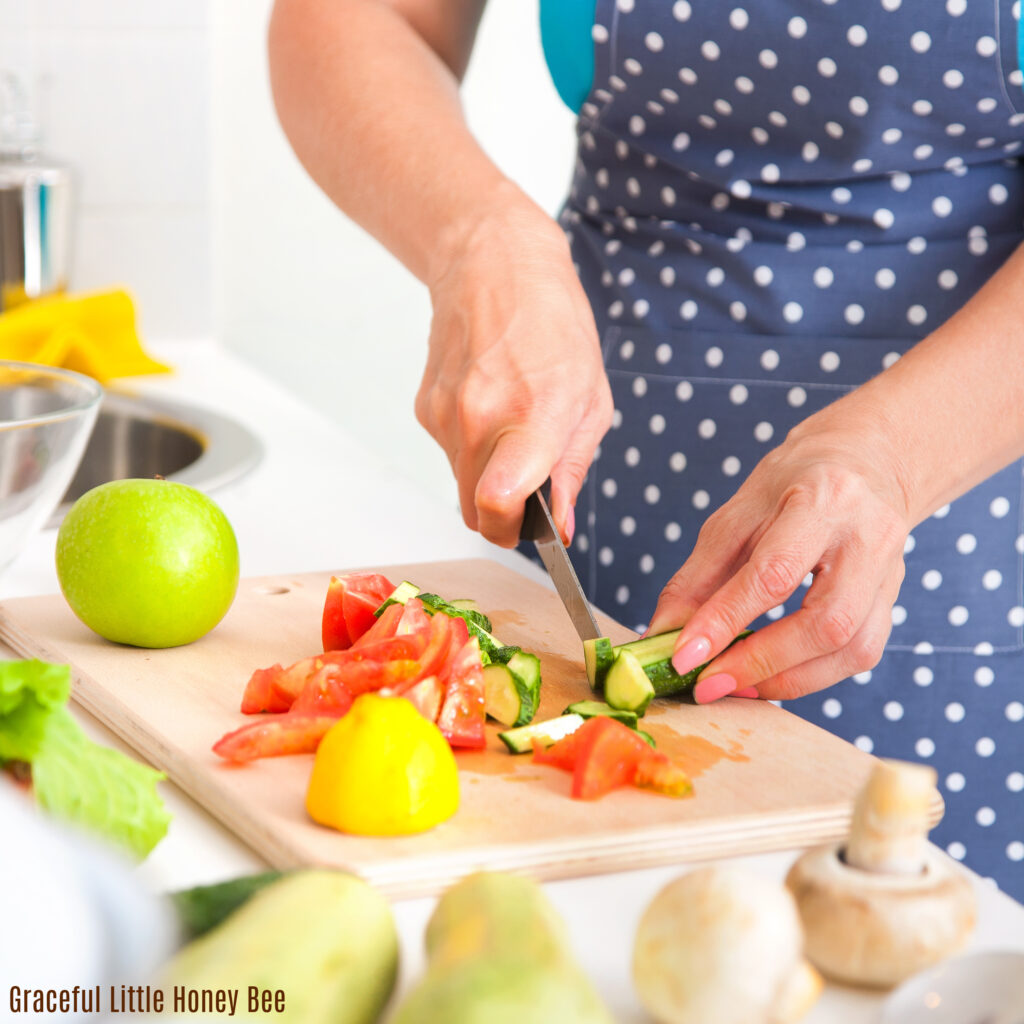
(720, 946)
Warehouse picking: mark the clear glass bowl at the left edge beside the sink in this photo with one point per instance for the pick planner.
(47, 416)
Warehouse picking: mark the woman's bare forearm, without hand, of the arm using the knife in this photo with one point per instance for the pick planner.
(367, 92)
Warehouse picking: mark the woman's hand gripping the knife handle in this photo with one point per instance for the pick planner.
(515, 389)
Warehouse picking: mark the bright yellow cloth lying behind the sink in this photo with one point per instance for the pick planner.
(94, 334)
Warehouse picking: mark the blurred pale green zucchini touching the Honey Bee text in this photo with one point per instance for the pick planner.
(325, 940)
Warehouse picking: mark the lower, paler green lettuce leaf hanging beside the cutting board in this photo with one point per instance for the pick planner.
(97, 788)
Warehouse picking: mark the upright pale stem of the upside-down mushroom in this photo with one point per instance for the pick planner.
(889, 831)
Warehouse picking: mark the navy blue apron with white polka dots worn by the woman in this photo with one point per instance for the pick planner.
(772, 203)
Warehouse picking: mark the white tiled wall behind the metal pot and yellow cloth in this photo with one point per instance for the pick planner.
(122, 91)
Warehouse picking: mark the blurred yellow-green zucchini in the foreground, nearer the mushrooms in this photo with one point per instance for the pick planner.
(497, 952)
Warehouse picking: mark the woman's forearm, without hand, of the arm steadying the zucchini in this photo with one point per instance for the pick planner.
(951, 412)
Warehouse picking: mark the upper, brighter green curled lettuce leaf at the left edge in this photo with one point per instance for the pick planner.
(30, 692)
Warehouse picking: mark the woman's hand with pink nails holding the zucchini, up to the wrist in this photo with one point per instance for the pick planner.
(824, 503)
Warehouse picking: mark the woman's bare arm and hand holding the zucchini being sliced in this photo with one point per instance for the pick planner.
(838, 499)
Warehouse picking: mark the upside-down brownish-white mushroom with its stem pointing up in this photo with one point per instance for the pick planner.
(886, 905)
